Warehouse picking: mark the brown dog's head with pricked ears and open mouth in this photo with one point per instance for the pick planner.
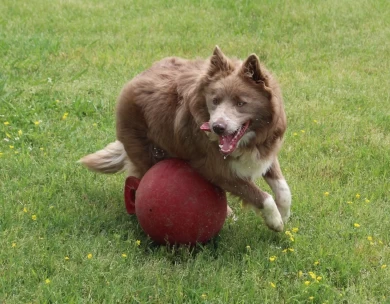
(239, 100)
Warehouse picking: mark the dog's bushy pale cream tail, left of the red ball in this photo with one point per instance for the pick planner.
(111, 159)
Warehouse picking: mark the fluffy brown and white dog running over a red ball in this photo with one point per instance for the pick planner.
(224, 116)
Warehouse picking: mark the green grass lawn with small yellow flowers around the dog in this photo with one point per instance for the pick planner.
(332, 60)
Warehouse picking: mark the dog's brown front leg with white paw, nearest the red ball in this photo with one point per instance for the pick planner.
(261, 201)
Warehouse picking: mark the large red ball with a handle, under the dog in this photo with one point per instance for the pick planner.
(175, 205)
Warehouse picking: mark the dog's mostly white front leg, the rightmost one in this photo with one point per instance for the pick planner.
(279, 186)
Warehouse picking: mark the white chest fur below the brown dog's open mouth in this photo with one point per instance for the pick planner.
(250, 165)
